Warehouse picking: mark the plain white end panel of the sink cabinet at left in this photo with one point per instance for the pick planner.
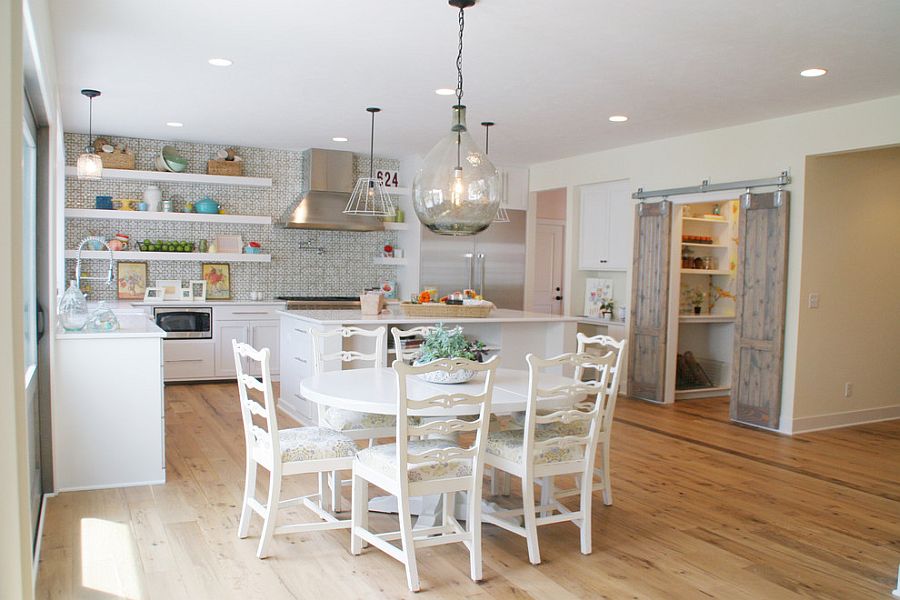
(108, 412)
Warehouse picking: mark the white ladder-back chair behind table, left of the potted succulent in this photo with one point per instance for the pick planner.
(355, 425)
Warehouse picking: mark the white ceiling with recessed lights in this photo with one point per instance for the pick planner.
(548, 72)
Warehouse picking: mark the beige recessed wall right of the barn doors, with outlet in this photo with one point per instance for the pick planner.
(851, 254)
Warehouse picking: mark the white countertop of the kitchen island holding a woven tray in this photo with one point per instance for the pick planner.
(355, 317)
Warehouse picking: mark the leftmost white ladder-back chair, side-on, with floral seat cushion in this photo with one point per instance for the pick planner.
(282, 452)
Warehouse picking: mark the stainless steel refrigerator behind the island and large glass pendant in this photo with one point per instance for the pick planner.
(491, 262)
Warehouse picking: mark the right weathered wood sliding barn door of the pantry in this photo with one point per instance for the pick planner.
(759, 324)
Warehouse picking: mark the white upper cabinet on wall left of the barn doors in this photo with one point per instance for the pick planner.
(605, 227)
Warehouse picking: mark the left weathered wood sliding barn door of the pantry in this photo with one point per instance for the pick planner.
(649, 301)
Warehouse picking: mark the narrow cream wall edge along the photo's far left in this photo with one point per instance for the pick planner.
(15, 543)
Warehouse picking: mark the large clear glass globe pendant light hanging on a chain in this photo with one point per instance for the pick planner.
(457, 190)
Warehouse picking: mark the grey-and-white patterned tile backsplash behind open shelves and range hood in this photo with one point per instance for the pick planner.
(344, 268)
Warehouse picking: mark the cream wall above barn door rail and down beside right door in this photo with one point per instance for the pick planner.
(751, 151)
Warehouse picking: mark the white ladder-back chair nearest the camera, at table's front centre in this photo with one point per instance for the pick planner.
(426, 467)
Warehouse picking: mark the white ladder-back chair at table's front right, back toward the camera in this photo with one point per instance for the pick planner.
(542, 450)
